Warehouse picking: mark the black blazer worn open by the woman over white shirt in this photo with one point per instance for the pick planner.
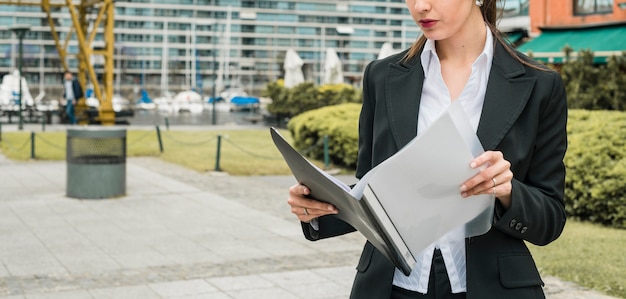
(524, 115)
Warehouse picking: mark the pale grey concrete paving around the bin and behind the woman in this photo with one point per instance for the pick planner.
(177, 234)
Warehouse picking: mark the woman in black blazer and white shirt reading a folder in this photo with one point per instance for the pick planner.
(518, 110)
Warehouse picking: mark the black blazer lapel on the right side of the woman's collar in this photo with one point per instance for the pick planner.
(508, 91)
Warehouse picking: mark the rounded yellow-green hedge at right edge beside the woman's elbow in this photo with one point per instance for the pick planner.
(595, 185)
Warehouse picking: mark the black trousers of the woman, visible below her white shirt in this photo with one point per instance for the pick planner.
(438, 284)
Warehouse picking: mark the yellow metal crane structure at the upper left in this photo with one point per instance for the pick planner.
(79, 11)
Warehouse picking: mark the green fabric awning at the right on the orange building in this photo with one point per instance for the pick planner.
(603, 41)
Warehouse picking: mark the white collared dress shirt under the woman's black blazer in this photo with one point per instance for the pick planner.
(434, 101)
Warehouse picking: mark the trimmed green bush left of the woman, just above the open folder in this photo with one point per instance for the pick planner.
(338, 122)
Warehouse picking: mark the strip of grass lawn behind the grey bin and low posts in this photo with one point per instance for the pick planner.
(243, 152)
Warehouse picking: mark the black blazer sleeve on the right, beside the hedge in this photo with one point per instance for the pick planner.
(537, 212)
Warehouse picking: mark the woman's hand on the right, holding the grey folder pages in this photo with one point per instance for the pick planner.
(494, 179)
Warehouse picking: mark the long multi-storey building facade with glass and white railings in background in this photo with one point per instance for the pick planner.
(184, 44)
